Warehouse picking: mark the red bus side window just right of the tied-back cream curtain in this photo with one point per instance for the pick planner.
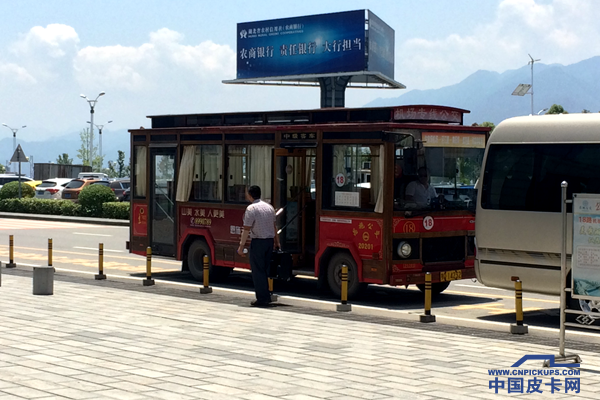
(207, 173)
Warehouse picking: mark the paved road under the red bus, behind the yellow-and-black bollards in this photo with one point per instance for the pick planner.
(75, 248)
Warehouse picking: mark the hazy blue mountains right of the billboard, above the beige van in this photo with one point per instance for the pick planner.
(488, 95)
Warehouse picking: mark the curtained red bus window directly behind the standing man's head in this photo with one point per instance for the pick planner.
(248, 165)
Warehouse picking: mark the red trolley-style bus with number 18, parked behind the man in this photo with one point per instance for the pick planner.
(336, 177)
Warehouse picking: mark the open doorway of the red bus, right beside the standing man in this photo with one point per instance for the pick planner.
(295, 193)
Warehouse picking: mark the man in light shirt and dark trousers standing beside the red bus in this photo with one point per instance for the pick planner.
(259, 223)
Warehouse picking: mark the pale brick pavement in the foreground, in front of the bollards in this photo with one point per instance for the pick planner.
(116, 340)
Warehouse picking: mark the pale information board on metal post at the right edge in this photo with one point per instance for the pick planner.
(585, 265)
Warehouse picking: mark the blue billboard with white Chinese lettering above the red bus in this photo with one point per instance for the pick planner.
(315, 44)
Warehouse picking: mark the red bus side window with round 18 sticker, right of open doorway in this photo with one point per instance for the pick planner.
(355, 177)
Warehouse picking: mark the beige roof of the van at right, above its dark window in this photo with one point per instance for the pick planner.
(554, 128)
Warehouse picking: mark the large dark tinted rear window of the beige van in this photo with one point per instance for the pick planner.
(527, 177)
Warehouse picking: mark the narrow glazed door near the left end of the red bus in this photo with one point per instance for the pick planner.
(162, 200)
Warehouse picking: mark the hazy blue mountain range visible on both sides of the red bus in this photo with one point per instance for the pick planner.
(486, 94)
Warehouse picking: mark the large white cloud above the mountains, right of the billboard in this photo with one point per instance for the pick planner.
(560, 31)
